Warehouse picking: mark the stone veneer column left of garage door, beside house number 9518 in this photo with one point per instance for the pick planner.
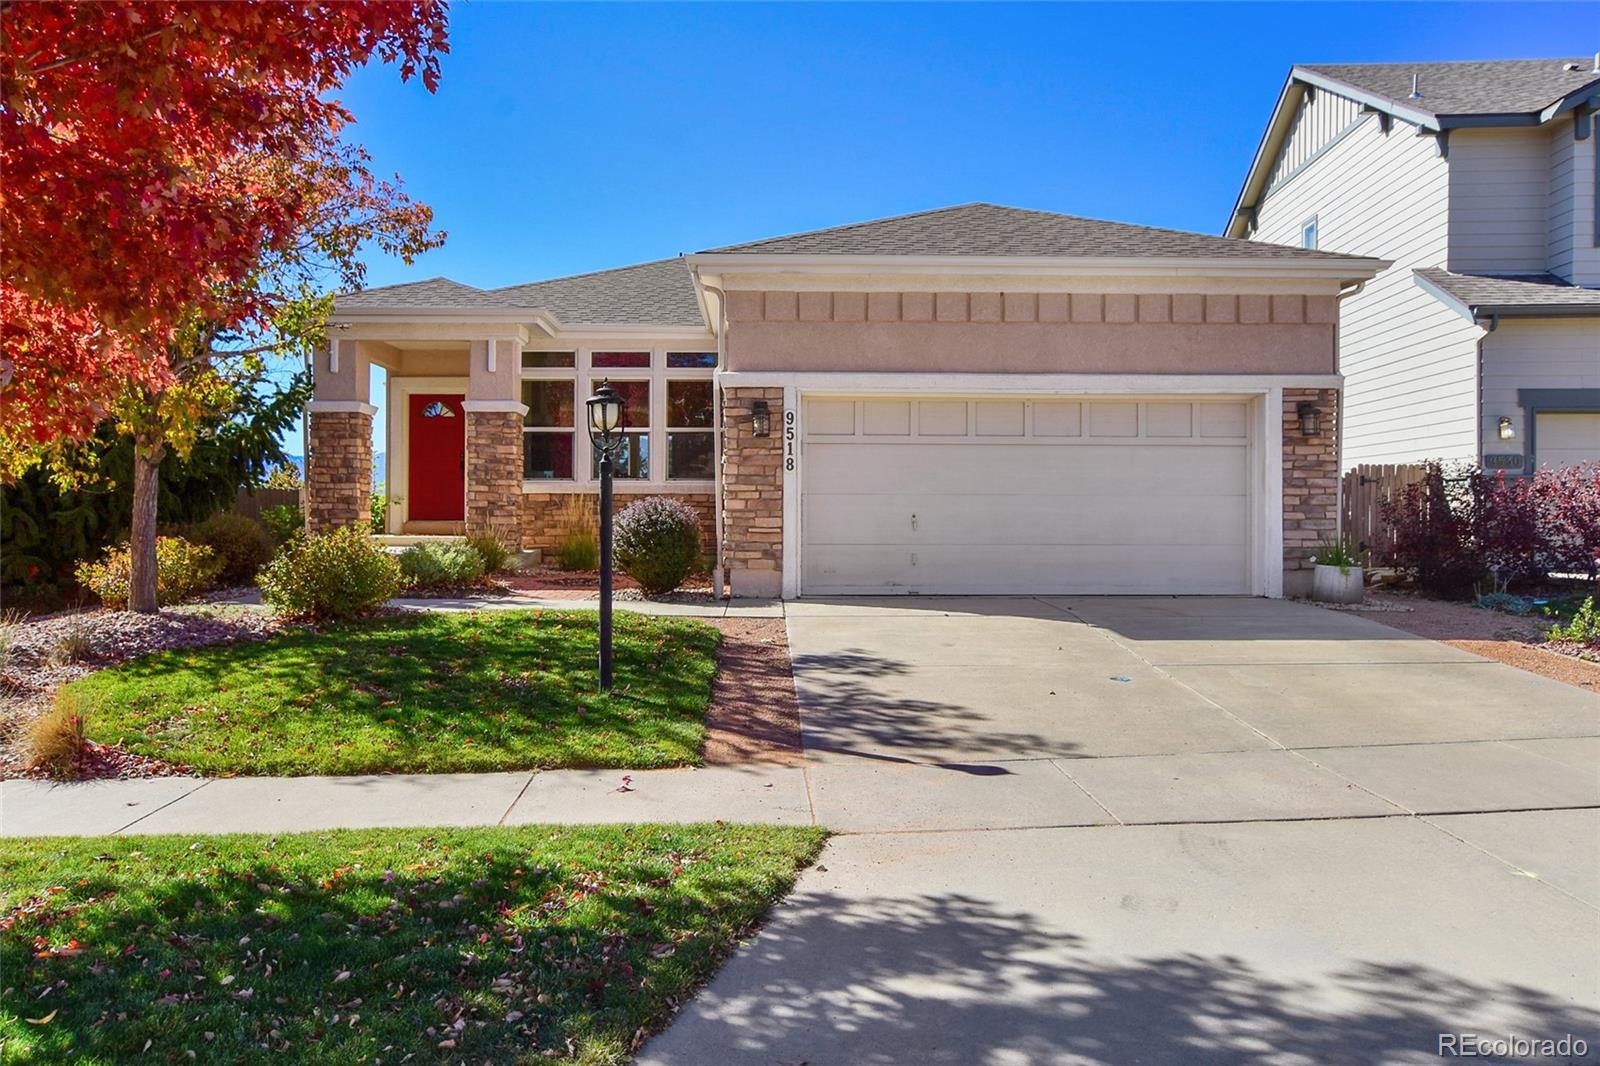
(753, 494)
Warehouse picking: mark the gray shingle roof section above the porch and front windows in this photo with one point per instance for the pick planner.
(649, 294)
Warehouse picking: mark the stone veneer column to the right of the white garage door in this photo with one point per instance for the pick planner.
(1311, 484)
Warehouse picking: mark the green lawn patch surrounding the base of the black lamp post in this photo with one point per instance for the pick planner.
(430, 692)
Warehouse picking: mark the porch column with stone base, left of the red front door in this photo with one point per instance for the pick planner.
(340, 441)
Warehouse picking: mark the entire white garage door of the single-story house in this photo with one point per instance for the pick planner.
(1012, 497)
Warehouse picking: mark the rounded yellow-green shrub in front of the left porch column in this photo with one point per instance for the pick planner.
(329, 575)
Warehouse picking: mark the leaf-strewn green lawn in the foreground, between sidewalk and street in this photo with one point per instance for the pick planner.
(366, 947)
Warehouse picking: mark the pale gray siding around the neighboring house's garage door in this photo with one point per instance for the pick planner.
(1534, 355)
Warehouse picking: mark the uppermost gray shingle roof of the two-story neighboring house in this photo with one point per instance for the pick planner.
(1497, 87)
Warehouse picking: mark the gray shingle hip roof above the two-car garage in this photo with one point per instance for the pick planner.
(988, 230)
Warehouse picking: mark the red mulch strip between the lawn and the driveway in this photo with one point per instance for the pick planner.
(753, 715)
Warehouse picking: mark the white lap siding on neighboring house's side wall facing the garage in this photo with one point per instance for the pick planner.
(1410, 363)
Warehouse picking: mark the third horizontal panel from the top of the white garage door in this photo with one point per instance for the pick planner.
(950, 519)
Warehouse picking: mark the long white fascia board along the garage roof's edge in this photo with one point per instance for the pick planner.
(722, 270)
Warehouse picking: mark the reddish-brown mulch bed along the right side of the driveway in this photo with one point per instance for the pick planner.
(1494, 635)
